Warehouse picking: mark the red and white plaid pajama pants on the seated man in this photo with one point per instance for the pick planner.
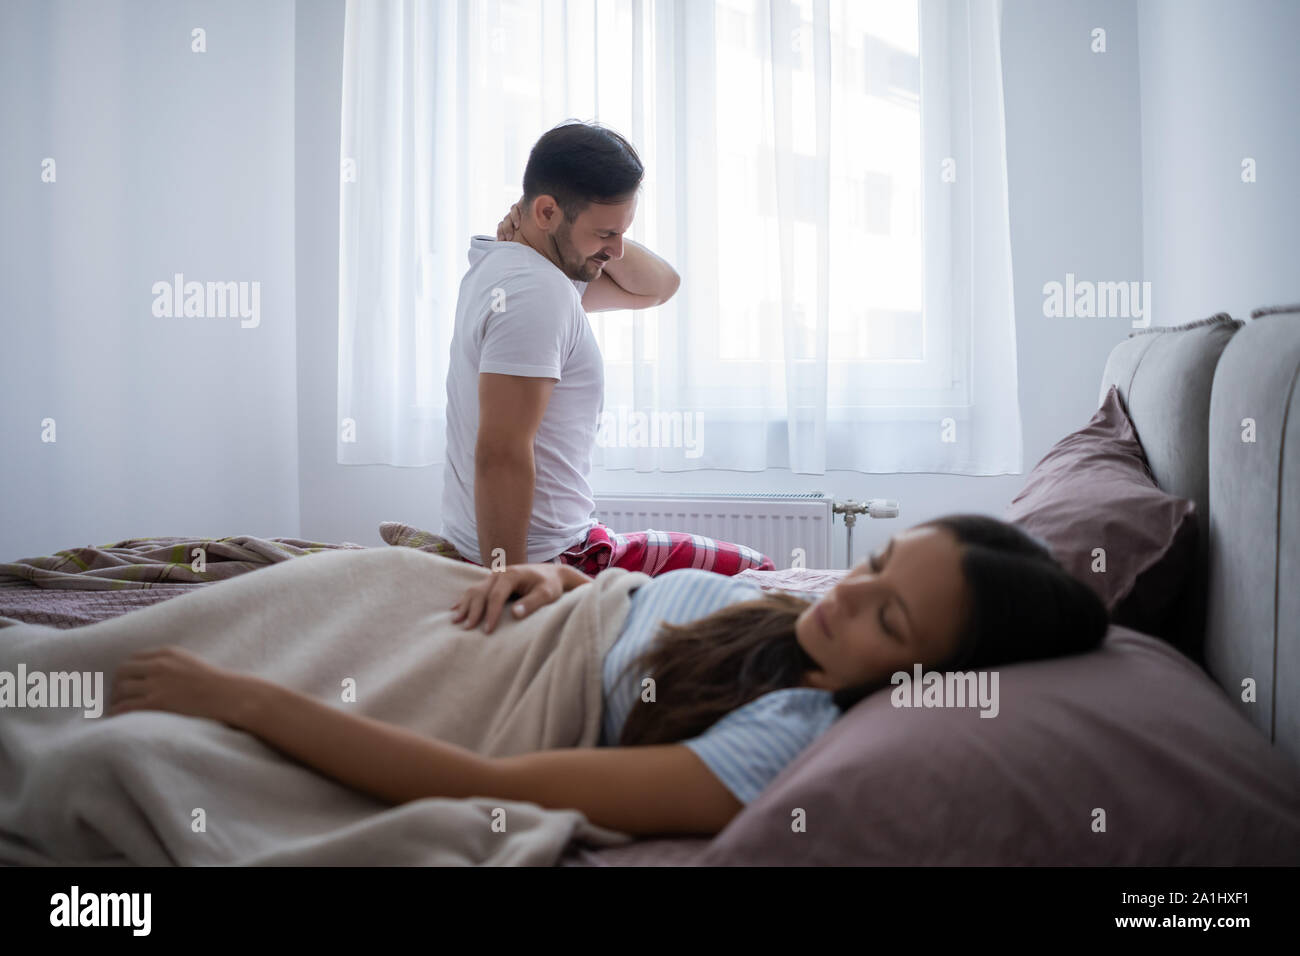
(653, 553)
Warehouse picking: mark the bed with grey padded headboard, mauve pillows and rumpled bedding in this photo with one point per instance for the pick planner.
(1177, 743)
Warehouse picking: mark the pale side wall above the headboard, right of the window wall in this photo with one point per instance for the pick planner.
(1220, 85)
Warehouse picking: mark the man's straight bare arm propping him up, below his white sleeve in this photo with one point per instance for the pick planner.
(510, 413)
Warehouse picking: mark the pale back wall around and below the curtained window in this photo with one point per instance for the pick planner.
(1074, 166)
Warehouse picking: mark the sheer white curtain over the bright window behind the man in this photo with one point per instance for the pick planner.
(827, 176)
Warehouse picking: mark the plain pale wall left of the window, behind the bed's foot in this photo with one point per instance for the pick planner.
(167, 162)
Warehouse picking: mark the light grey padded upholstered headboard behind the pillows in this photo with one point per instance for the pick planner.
(1216, 408)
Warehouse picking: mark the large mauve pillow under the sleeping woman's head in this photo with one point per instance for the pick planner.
(1134, 730)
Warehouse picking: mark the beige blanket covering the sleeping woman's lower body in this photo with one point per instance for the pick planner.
(159, 789)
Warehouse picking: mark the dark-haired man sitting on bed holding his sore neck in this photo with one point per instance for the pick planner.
(526, 383)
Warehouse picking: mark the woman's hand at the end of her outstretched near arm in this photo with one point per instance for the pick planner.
(176, 681)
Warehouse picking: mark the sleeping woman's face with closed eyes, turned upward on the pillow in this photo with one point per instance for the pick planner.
(904, 605)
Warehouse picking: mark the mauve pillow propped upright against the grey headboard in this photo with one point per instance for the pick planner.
(1095, 490)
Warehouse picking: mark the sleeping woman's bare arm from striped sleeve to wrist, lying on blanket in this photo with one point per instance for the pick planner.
(636, 790)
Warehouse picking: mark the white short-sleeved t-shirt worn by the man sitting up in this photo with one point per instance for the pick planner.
(519, 314)
